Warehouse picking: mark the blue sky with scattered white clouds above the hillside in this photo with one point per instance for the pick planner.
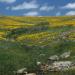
(37, 7)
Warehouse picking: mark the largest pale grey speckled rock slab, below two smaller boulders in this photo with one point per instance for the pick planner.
(60, 66)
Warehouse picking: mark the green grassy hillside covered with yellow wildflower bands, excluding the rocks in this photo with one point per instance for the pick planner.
(24, 39)
